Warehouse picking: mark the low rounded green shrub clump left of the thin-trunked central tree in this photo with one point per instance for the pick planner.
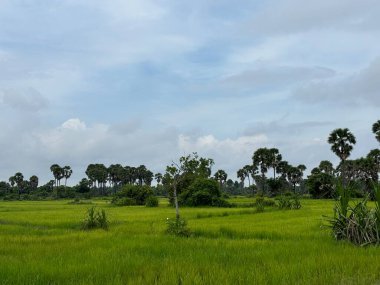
(132, 195)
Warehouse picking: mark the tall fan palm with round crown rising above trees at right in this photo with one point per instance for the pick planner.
(342, 142)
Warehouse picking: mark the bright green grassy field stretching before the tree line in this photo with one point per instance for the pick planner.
(42, 243)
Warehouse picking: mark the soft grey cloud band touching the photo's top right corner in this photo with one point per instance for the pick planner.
(296, 16)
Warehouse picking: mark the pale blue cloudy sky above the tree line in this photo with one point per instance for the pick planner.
(145, 82)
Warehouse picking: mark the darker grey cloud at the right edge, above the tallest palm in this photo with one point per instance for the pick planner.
(361, 87)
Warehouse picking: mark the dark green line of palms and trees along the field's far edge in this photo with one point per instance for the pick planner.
(102, 180)
